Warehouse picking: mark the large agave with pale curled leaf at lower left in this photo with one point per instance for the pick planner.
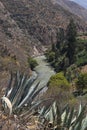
(21, 91)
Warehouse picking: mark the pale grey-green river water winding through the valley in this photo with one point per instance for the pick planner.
(43, 70)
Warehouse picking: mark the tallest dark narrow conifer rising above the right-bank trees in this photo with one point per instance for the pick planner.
(71, 34)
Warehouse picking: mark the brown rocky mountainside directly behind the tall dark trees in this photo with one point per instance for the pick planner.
(40, 19)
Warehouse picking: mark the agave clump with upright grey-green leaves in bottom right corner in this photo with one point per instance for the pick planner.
(67, 120)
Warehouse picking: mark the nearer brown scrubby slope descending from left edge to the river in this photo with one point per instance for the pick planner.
(15, 45)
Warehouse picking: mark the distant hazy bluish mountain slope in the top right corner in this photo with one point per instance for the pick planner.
(73, 7)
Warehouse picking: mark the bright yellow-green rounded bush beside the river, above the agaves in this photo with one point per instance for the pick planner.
(58, 80)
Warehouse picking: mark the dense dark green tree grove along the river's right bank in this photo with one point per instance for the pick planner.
(68, 49)
